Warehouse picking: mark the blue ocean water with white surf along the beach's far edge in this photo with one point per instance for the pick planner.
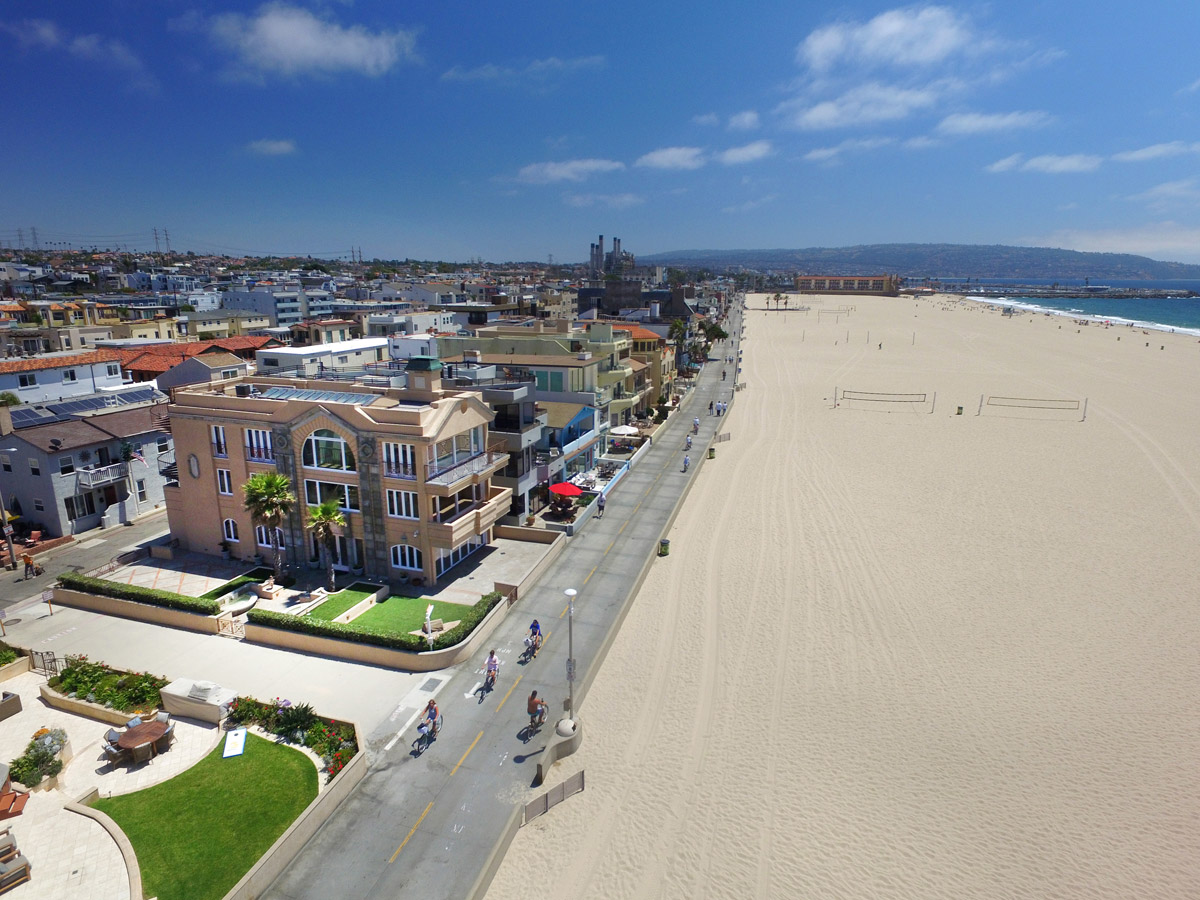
(1162, 314)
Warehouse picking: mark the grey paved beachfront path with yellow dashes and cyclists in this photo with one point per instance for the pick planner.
(424, 826)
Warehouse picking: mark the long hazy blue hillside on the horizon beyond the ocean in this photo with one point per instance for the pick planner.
(933, 261)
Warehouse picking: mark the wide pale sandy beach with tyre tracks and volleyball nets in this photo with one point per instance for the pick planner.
(902, 653)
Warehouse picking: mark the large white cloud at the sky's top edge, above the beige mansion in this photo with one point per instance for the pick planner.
(290, 41)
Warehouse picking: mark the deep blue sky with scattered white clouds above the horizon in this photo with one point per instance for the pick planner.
(517, 131)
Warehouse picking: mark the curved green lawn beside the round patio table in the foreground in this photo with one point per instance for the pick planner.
(197, 835)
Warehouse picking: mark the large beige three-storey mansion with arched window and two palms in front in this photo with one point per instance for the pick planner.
(412, 470)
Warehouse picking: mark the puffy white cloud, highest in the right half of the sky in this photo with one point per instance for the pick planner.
(920, 37)
